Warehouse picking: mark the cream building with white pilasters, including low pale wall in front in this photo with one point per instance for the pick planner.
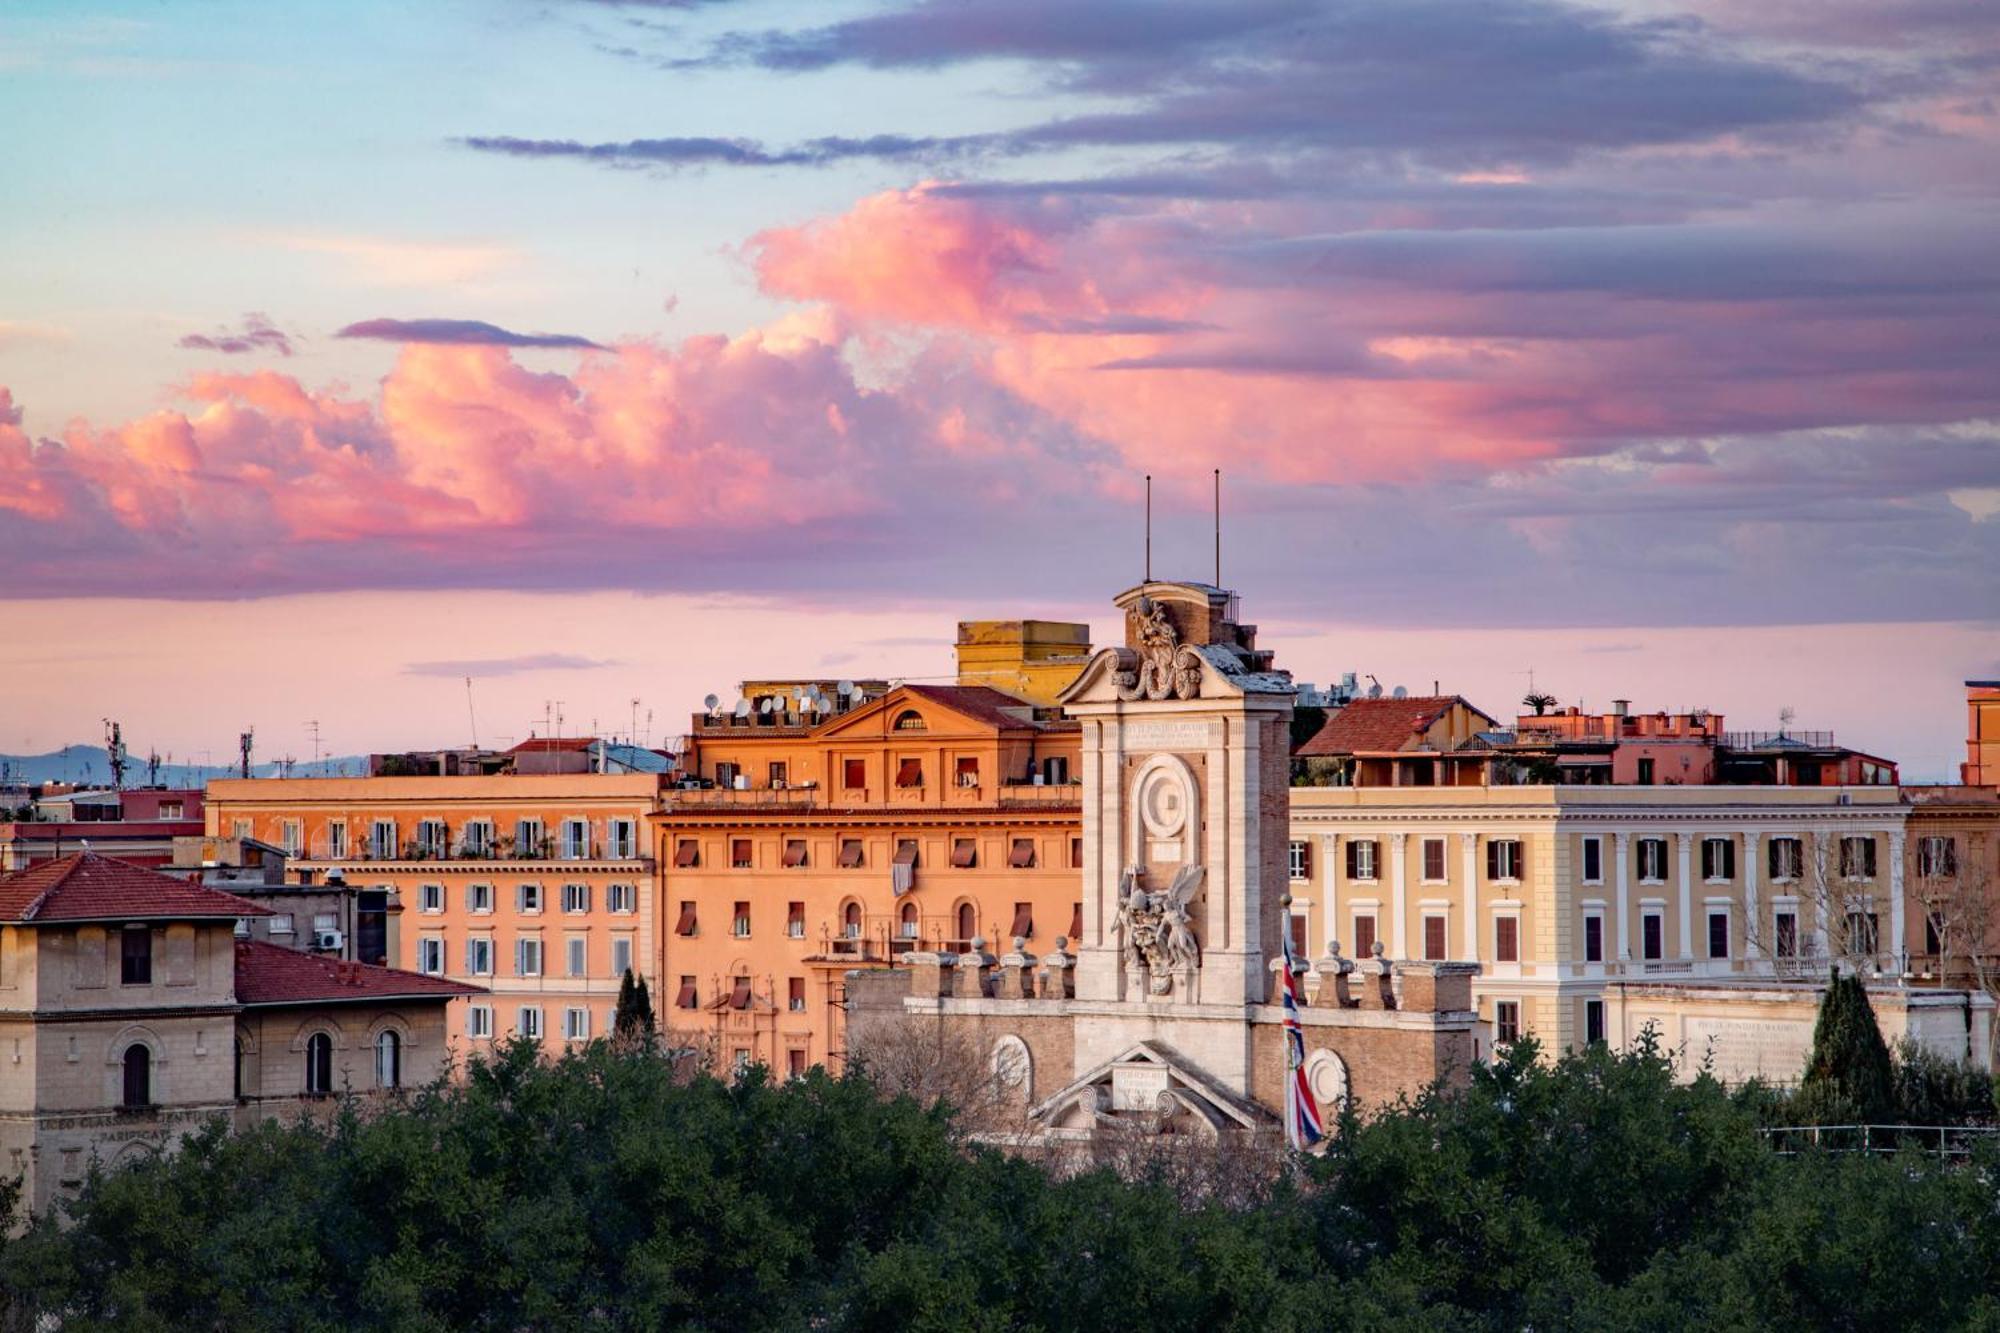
(1709, 912)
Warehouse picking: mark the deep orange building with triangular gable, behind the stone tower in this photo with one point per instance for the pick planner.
(803, 846)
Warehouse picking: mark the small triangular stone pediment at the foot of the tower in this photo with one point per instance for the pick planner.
(1149, 1090)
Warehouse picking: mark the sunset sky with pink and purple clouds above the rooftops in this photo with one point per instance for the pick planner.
(625, 351)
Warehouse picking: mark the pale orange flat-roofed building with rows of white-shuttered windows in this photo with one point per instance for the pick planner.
(533, 886)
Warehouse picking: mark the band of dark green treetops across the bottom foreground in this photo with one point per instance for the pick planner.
(613, 1190)
